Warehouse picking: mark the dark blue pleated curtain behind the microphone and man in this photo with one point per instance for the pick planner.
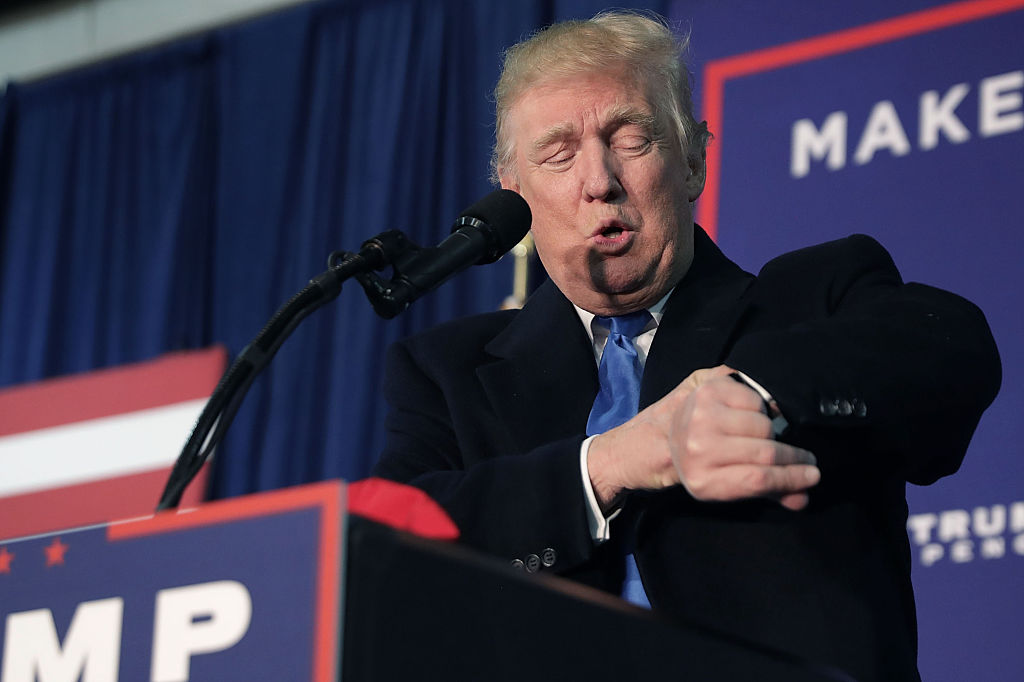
(175, 199)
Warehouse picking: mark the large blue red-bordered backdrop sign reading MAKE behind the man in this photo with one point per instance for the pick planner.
(911, 131)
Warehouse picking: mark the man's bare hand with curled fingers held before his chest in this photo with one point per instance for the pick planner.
(709, 435)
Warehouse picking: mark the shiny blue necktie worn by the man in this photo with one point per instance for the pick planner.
(617, 403)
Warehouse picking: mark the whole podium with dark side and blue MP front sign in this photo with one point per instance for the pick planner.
(285, 586)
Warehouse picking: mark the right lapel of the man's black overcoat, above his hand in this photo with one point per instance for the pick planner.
(700, 319)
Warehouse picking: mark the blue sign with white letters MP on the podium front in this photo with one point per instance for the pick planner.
(245, 589)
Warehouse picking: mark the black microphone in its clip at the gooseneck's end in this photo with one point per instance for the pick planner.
(482, 235)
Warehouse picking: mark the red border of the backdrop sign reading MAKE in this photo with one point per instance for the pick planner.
(718, 72)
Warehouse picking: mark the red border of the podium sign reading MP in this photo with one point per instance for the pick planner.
(327, 496)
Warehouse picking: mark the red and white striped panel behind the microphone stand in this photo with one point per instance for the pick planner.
(97, 447)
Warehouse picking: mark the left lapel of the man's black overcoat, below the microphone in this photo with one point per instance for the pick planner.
(544, 378)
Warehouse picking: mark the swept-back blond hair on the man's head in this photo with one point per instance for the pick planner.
(642, 42)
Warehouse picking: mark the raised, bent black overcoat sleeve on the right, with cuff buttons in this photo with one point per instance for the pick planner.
(878, 376)
